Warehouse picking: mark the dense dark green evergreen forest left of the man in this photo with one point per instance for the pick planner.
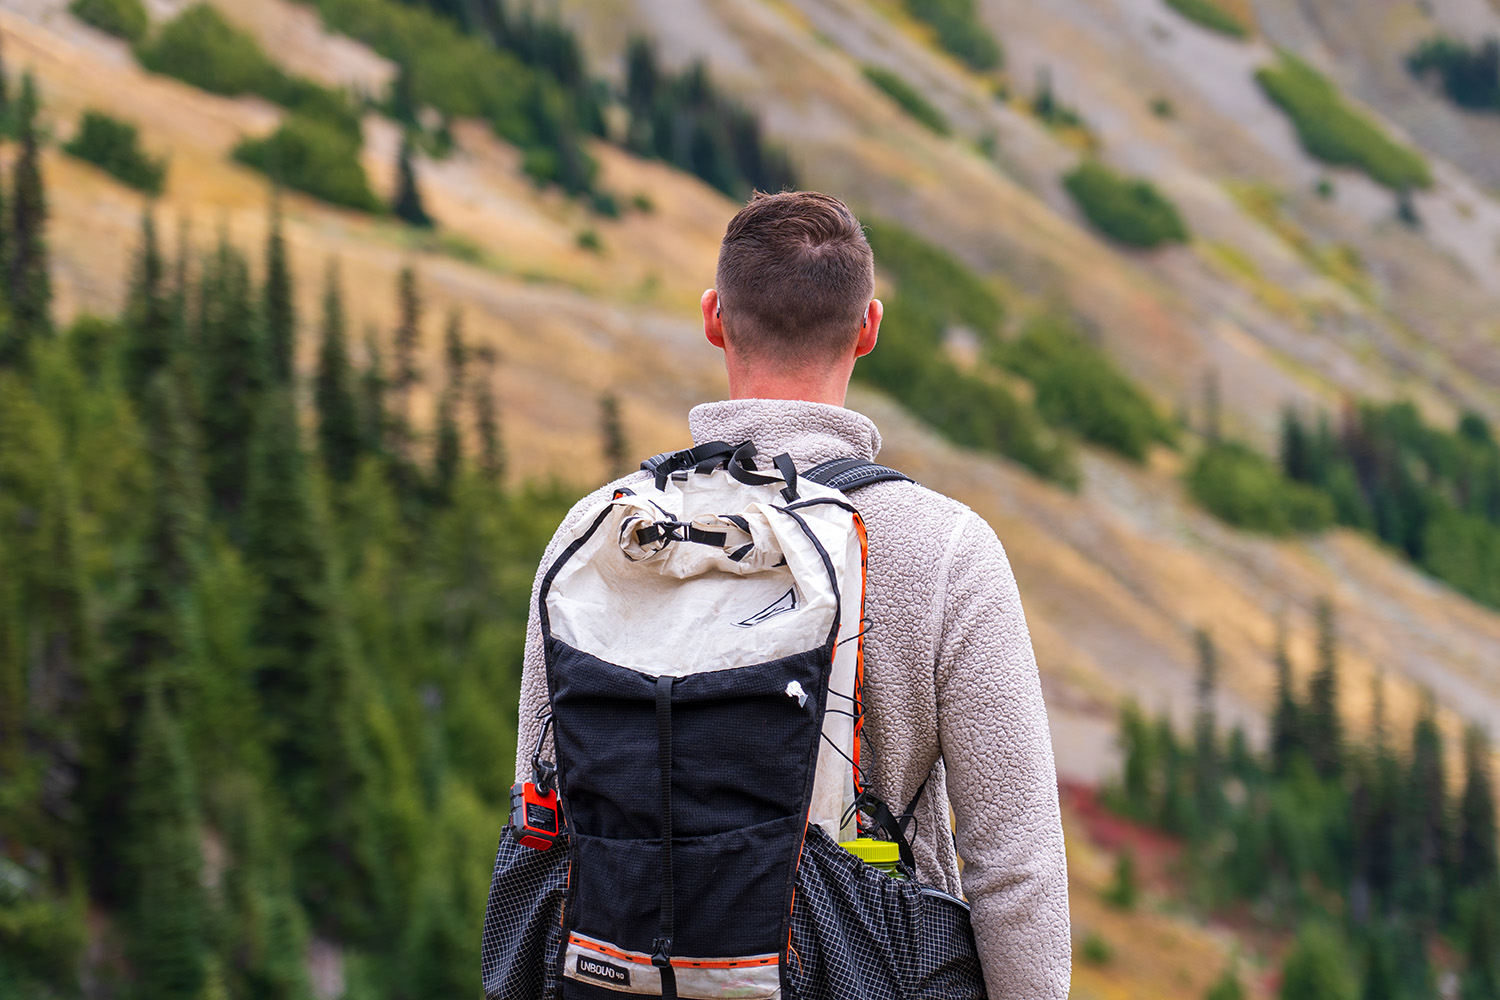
(260, 635)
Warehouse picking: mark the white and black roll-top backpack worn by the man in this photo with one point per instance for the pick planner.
(704, 644)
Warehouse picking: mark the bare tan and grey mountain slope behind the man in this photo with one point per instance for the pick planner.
(1118, 576)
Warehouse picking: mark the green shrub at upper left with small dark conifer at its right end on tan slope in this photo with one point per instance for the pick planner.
(313, 157)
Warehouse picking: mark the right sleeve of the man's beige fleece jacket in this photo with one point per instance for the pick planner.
(1001, 774)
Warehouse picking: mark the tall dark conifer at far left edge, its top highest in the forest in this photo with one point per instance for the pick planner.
(29, 283)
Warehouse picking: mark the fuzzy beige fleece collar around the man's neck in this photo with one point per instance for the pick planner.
(809, 433)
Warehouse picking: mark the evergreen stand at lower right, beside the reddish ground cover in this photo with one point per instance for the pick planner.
(1361, 845)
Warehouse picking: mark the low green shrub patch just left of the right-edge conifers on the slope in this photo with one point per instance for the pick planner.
(1246, 490)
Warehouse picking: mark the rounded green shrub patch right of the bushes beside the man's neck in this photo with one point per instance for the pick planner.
(1081, 389)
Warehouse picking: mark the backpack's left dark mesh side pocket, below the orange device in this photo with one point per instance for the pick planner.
(524, 921)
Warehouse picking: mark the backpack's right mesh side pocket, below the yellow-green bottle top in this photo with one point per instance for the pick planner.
(860, 935)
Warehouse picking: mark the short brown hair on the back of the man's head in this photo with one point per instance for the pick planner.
(796, 277)
